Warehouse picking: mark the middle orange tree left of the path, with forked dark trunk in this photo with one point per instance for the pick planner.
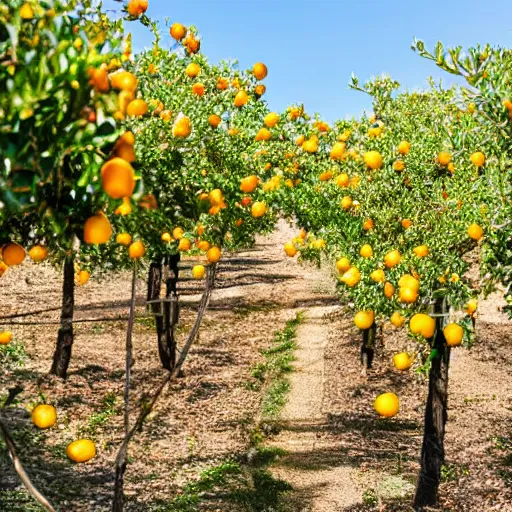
(197, 150)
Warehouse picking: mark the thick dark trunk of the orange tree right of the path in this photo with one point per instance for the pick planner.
(432, 450)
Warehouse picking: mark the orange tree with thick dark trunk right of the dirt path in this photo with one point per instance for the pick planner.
(399, 201)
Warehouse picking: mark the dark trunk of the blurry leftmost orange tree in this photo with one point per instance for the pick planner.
(62, 354)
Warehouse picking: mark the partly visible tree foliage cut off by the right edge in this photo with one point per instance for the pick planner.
(488, 72)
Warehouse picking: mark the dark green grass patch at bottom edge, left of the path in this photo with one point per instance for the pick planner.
(234, 487)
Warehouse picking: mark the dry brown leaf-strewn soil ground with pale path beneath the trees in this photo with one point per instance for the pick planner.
(336, 454)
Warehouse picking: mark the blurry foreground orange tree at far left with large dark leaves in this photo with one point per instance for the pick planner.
(60, 109)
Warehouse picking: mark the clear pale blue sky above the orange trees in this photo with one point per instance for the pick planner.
(312, 46)
